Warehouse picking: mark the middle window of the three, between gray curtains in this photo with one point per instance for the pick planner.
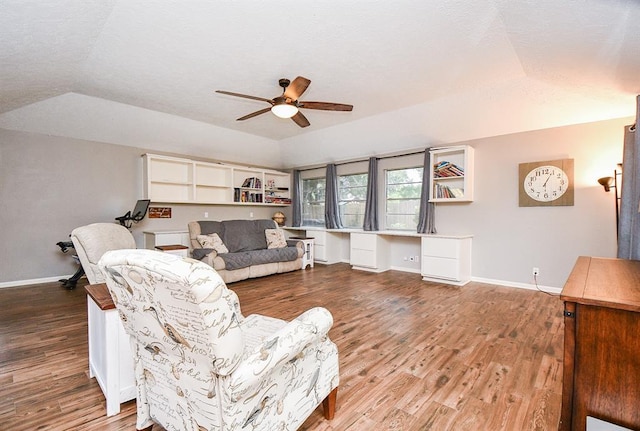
(352, 198)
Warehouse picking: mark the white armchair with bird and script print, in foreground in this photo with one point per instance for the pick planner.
(201, 365)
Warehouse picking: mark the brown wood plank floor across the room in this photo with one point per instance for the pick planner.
(413, 355)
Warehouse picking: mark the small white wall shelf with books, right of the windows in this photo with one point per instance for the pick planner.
(451, 177)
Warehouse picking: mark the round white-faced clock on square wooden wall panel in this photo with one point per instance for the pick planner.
(548, 183)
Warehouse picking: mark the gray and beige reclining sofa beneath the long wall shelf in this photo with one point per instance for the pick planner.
(248, 255)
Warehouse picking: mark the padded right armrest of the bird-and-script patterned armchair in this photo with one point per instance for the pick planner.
(282, 346)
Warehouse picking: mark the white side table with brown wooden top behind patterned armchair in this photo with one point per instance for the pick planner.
(110, 357)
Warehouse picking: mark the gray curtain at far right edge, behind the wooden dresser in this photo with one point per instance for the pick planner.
(629, 229)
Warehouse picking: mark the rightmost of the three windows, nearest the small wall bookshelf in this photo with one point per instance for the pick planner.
(403, 188)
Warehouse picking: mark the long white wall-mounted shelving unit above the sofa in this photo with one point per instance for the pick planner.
(178, 180)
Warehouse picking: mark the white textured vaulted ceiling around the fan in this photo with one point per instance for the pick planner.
(528, 64)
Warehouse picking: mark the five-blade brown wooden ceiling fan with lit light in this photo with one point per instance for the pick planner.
(288, 104)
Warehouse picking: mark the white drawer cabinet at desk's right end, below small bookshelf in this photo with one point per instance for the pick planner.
(446, 259)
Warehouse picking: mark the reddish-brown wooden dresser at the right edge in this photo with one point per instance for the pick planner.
(601, 343)
